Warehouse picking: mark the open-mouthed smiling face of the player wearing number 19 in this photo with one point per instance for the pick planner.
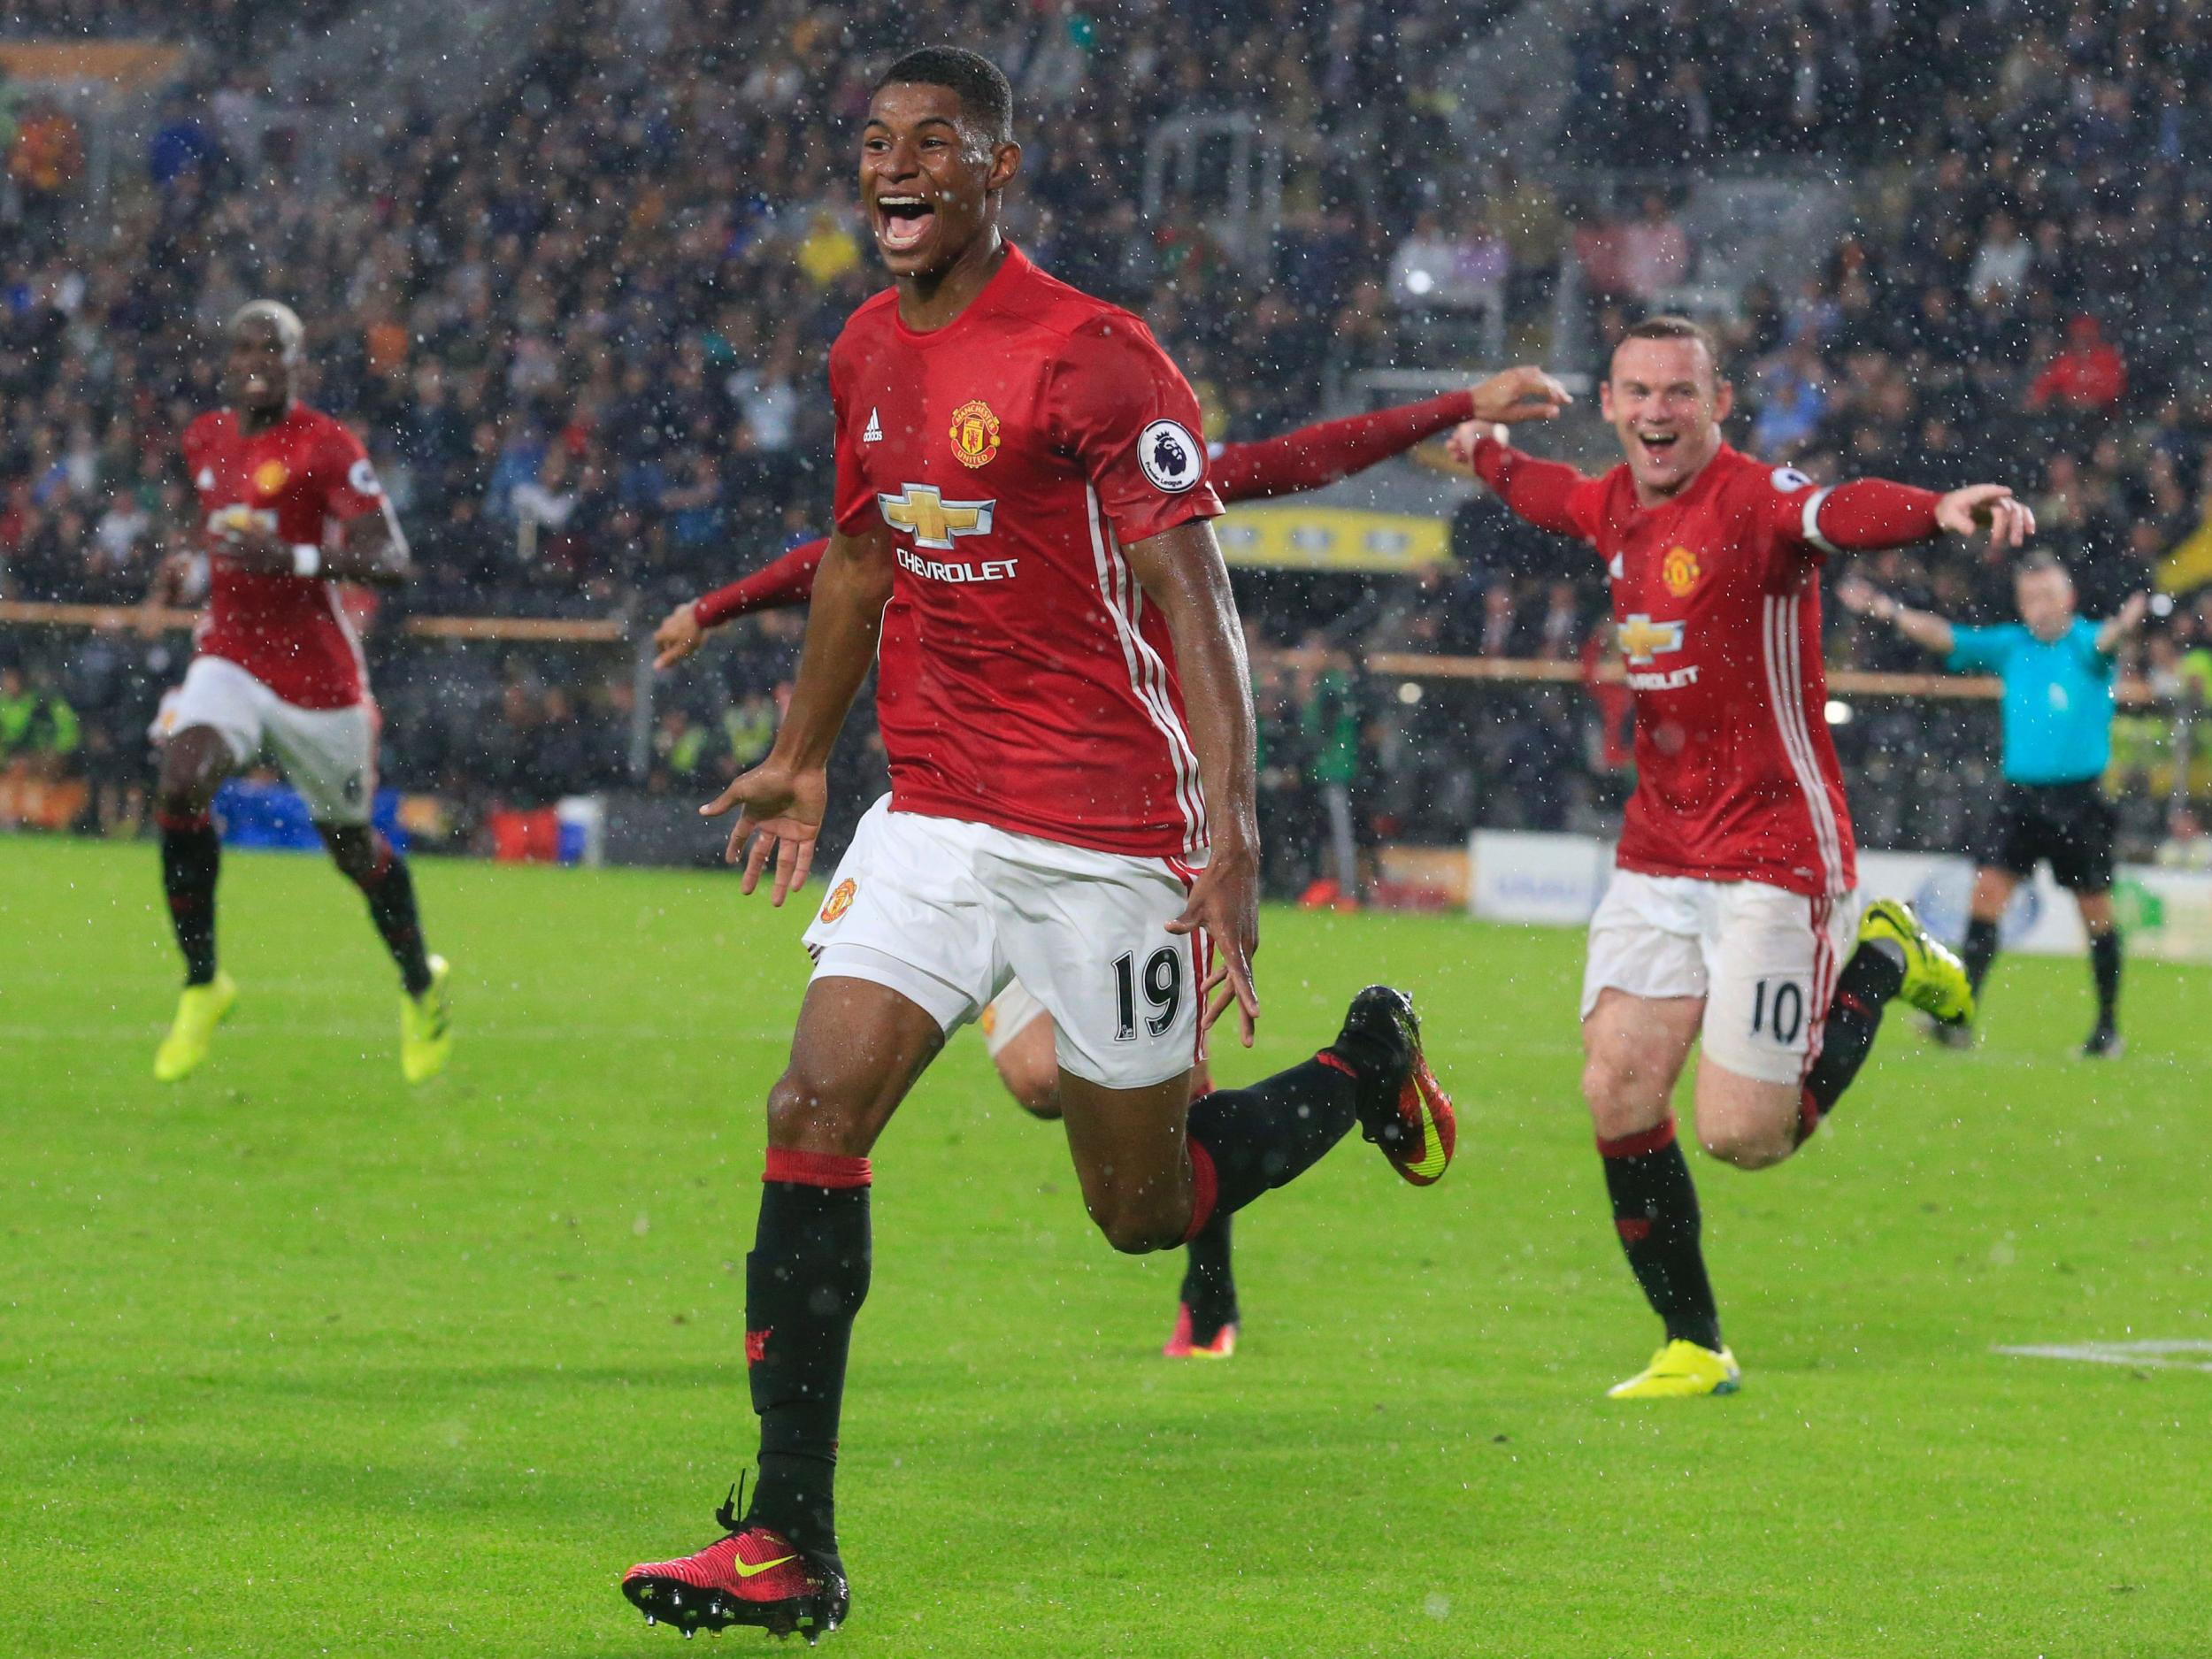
(930, 180)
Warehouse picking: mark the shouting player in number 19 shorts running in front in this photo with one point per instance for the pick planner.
(1021, 541)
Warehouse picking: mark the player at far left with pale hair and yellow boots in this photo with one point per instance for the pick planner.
(280, 674)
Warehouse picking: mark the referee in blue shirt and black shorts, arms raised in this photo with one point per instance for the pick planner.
(2058, 740)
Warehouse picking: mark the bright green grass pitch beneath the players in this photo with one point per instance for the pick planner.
(298, 1361)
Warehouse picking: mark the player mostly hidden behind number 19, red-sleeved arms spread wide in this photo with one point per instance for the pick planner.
(1016, 1030)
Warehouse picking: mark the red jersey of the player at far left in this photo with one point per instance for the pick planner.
(286, 632)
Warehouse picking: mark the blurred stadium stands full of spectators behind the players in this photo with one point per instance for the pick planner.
(572, 271)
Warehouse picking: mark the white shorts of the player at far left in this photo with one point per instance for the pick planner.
(324, 753)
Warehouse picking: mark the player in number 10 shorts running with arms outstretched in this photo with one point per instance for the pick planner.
(1731, 917)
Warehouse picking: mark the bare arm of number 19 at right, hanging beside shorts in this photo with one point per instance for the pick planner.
(1185, 576)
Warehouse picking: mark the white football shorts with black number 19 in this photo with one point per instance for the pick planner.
(948, 912)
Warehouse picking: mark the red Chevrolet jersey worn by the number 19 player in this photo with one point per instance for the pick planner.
(1014, 452)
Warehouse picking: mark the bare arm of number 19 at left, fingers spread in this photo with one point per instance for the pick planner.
(784, 797)
